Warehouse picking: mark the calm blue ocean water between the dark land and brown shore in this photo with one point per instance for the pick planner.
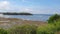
(35, 17)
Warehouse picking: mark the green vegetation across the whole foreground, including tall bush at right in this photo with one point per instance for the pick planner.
(53, 27)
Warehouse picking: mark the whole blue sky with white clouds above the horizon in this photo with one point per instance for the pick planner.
(31, 6)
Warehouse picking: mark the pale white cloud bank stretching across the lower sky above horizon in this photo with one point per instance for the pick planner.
(6, 6)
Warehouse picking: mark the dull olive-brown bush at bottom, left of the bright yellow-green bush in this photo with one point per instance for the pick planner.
(25, 29)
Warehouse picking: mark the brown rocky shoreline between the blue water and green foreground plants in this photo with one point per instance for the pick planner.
(10, 22)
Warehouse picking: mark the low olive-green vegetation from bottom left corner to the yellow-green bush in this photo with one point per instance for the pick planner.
(23, 29)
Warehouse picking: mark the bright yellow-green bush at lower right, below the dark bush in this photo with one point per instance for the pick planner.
(47, 29)
